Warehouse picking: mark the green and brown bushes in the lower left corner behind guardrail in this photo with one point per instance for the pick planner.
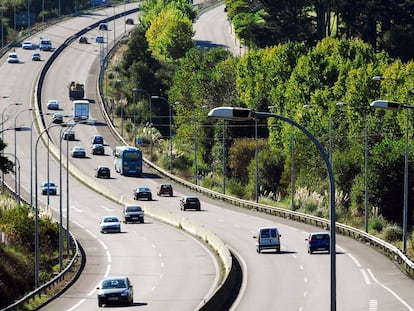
(17, 249)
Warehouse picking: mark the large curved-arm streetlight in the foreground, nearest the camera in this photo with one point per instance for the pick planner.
(241, 114)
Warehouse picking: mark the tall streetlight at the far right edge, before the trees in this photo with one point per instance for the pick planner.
(396, 106)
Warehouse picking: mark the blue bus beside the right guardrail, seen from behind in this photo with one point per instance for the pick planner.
(128, 160)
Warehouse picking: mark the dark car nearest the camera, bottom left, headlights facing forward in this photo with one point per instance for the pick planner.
(115, 290)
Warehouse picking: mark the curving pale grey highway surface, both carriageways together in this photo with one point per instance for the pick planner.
(171, 270)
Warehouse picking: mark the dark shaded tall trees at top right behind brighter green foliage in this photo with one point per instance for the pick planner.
(386, 25)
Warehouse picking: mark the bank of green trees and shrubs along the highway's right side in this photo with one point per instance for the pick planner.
(325, 84)
